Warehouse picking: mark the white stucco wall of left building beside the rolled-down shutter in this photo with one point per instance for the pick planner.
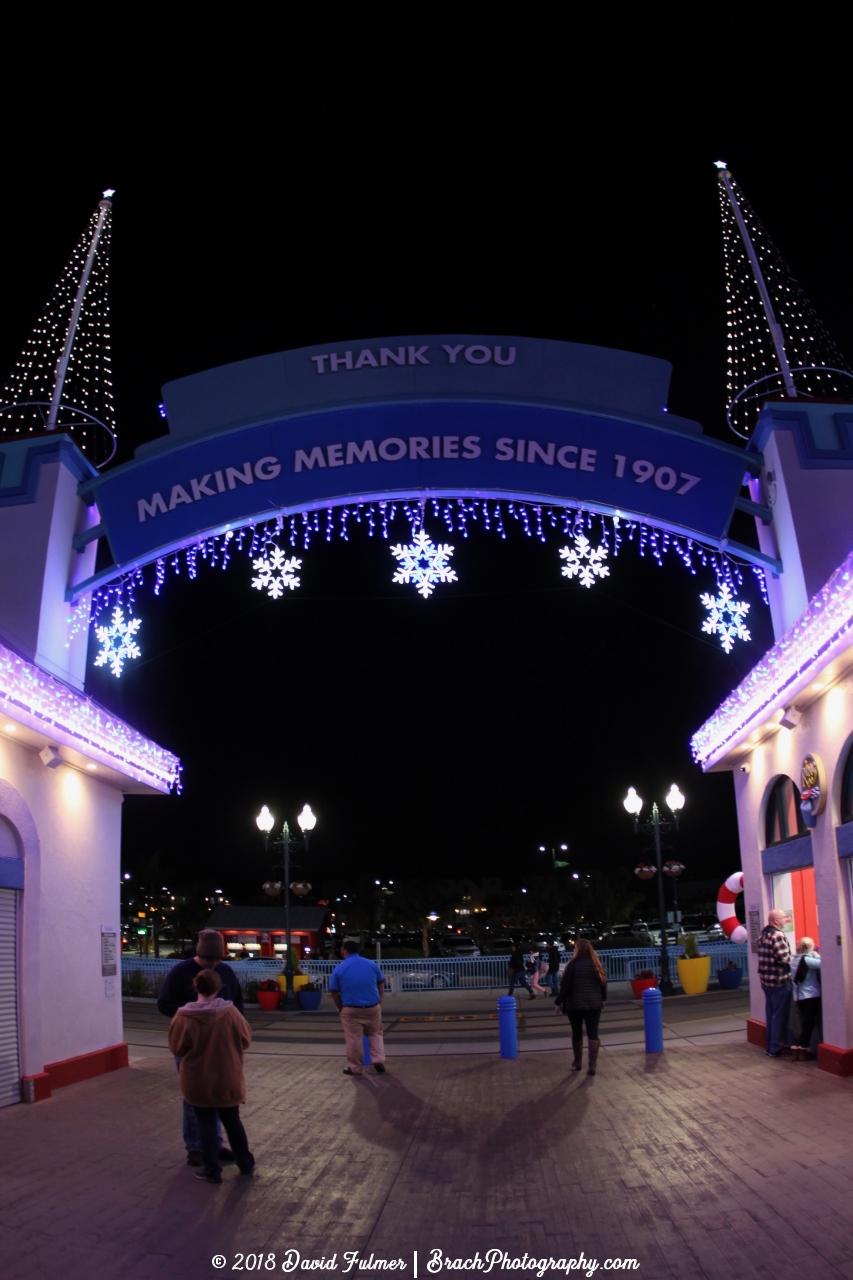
(70, 826)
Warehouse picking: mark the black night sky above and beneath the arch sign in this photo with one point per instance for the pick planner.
(329, 179)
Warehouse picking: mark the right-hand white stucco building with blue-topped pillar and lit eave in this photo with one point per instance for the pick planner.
(787, 732)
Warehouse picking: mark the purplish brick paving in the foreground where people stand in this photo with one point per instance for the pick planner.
(706, 1162)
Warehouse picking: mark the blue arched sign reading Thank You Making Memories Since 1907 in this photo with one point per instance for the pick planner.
(477, 419)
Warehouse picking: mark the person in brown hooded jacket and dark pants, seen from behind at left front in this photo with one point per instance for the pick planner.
(209, 1036)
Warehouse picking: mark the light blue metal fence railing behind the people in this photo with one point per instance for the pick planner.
(440, 973)
